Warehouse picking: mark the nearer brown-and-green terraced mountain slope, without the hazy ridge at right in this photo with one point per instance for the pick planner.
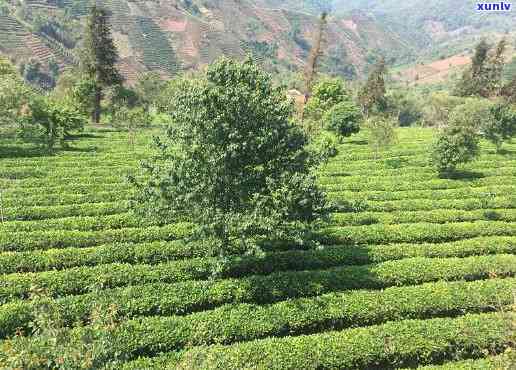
(173, 36)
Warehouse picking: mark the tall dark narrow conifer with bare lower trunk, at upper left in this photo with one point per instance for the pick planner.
(99, 56)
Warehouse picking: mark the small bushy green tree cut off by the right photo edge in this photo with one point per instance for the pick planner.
(502, 126)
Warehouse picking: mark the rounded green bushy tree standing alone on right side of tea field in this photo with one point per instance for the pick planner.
(456, 145)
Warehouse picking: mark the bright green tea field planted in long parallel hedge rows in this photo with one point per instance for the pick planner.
(414, 270)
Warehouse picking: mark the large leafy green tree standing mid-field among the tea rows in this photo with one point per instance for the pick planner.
(232, 162)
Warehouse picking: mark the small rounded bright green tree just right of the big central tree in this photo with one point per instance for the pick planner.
(343, 119)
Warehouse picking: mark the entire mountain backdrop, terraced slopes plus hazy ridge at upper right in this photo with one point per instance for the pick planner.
(171, 36)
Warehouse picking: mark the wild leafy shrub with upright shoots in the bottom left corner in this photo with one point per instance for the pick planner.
(51, 345)
